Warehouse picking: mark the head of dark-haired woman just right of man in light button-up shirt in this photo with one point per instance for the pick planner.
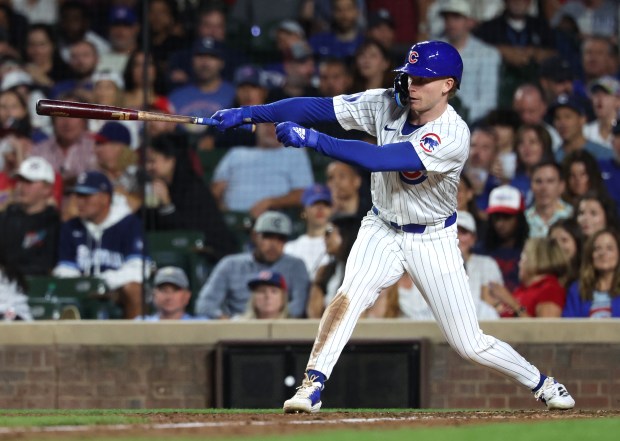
(581, 173)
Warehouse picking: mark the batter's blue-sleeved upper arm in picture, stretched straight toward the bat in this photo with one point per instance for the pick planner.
(301, 110)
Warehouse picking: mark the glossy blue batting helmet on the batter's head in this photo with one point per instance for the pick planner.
(430, 59)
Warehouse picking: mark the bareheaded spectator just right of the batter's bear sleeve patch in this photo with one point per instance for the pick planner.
(483, 153)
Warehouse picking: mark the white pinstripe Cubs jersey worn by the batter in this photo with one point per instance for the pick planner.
(425, 198)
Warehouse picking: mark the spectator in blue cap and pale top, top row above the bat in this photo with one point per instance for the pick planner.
(123, 31)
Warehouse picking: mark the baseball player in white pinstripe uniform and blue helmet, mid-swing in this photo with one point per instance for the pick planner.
(422, 145)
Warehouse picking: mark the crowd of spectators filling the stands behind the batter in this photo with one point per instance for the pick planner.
(538, 201)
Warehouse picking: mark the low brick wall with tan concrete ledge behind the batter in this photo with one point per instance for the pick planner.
(124, 364)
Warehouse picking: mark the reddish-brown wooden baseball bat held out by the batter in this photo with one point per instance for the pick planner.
(70, 109)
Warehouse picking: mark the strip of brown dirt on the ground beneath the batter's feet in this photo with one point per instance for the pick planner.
(168, 424)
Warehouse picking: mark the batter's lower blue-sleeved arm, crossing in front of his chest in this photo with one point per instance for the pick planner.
(390, 157)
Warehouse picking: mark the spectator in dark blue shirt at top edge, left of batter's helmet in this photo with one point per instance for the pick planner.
(344, 37)
